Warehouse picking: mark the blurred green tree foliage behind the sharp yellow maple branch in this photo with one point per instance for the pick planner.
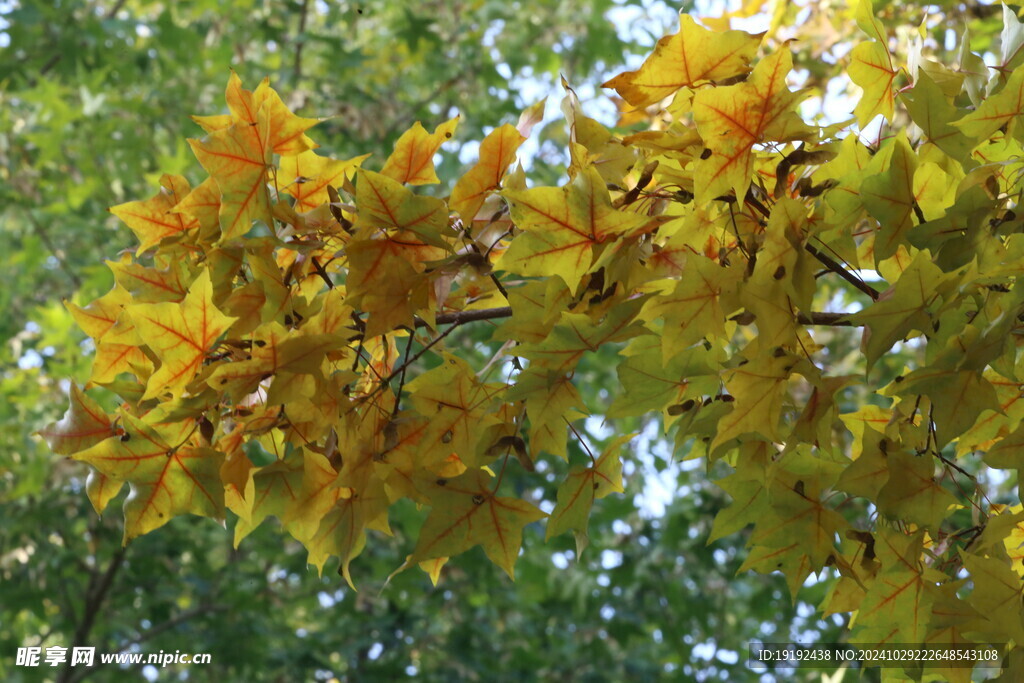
(95, 104)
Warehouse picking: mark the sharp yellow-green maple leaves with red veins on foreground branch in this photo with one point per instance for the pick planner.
(278, 339)
